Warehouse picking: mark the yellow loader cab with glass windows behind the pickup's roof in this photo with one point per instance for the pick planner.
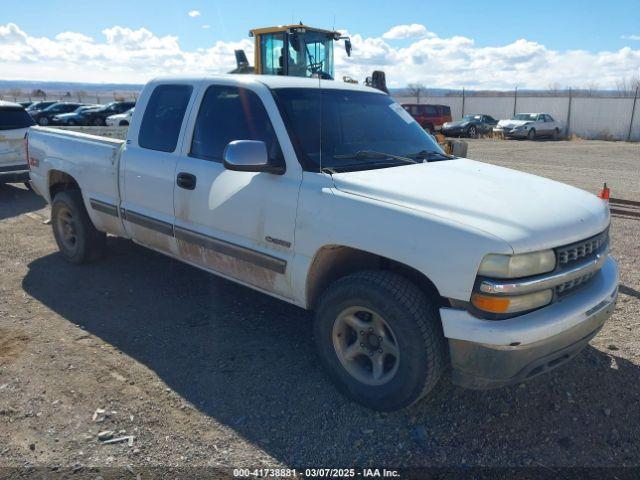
(299, 51)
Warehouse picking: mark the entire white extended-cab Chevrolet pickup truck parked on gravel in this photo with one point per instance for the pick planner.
(330, 196)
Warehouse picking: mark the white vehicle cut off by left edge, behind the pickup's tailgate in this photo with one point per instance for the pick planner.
(14, 123)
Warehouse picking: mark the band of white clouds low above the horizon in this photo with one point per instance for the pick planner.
(122, 54)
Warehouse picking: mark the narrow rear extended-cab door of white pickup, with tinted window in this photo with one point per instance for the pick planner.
(147, 173)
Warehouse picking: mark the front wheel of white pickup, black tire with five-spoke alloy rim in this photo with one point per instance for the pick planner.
(413, 327)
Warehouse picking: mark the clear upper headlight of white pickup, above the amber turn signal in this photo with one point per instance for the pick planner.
(516, 266)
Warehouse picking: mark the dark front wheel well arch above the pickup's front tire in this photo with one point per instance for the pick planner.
(333, 262)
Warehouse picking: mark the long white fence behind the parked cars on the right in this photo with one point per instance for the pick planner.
(586, 117)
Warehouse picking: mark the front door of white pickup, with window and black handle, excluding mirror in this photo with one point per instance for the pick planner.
(237, 224)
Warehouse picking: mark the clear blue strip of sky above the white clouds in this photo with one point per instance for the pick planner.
(557, 24)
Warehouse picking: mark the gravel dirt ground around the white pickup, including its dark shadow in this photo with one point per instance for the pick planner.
(201, 371)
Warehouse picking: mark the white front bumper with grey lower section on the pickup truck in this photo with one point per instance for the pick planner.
(492, 353)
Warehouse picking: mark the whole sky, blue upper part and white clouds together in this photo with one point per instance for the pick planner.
(488, 44)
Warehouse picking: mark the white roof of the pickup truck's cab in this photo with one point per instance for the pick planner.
(271, 81)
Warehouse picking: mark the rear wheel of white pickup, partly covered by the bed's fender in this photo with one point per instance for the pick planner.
(68, 213)
